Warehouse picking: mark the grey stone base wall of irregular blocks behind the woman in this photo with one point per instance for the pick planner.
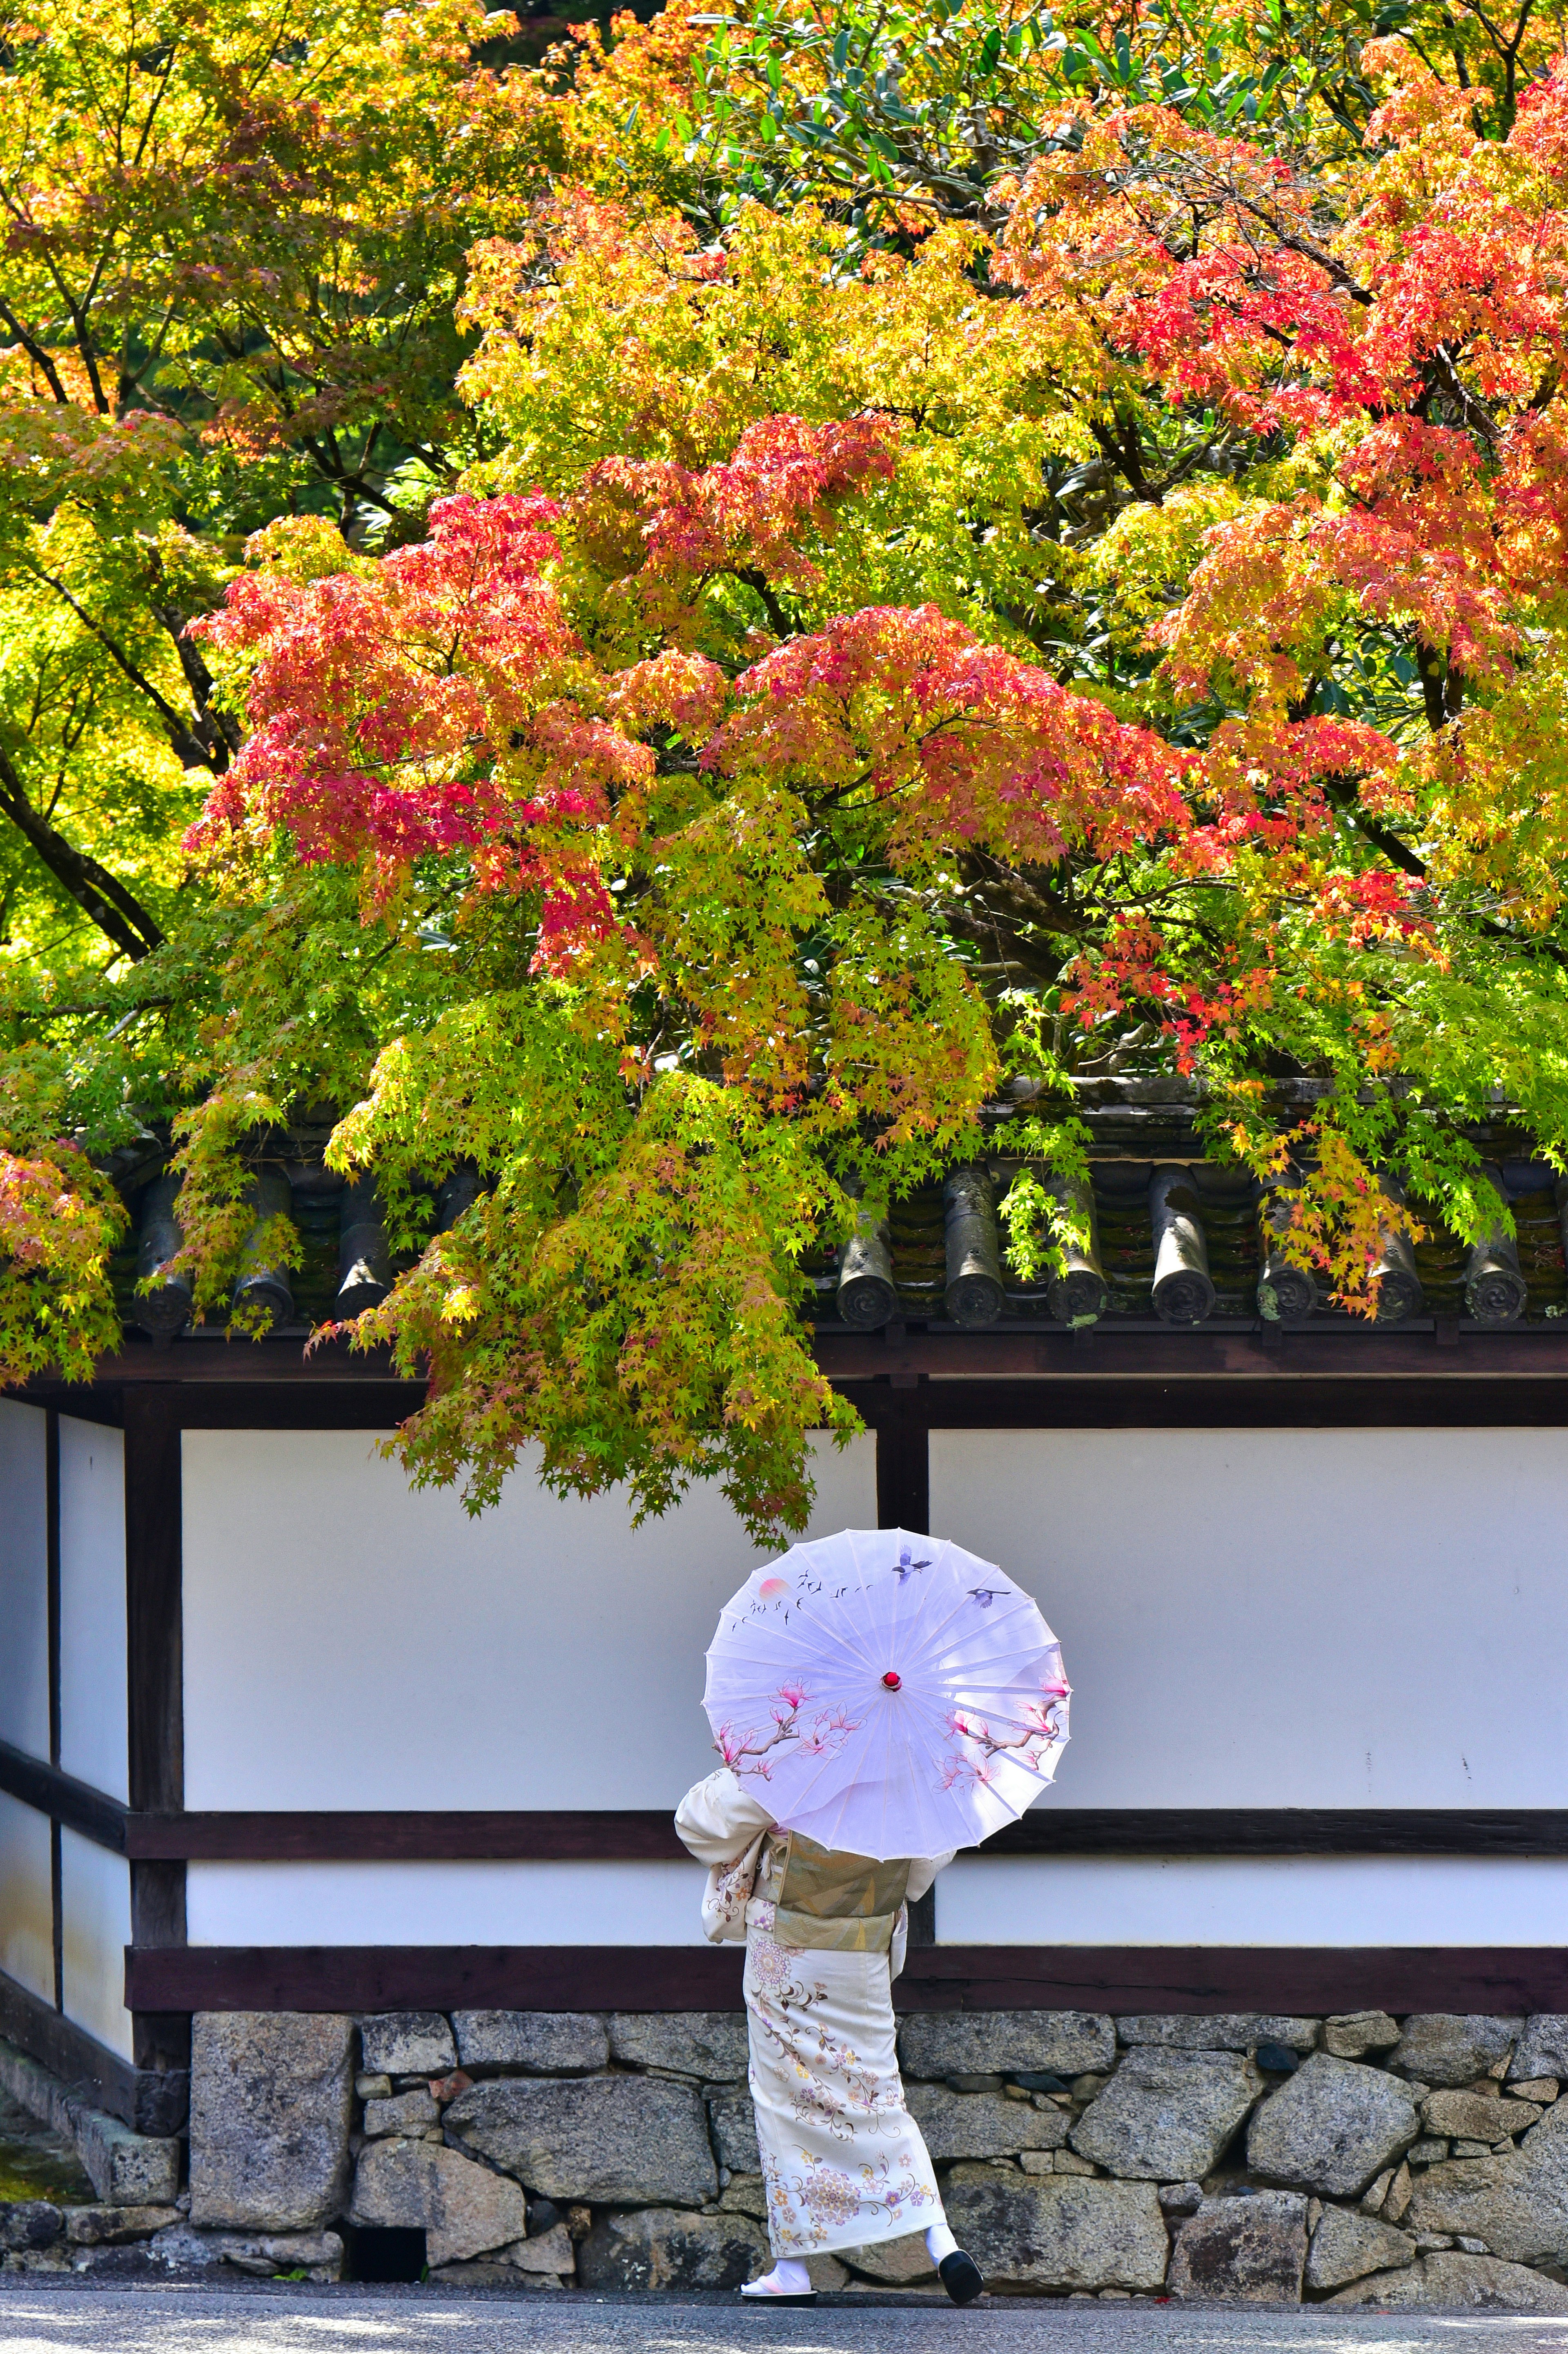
(1353, 2160)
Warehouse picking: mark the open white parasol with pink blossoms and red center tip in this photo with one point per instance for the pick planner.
(886, 1694)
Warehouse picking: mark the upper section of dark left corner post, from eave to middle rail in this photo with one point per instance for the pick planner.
(152, 1600)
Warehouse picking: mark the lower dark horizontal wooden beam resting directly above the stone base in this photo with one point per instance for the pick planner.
(1310, 1981)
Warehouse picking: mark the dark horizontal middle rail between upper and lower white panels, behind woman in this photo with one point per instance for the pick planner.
(620, 1837)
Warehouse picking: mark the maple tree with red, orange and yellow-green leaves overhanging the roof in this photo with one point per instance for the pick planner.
(877, 644)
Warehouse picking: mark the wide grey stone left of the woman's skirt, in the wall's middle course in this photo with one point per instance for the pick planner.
(606, 2139)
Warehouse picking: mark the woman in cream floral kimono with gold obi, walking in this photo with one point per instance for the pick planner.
(844, 2162)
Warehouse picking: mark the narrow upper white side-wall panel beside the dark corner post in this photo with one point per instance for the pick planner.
(93, 1734)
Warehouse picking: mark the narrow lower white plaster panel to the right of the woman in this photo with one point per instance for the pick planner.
(1338, 1901)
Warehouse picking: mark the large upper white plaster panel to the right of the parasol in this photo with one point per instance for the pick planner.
(1289, 1618)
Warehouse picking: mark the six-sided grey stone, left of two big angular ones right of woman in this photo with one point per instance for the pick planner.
(1167, 2113)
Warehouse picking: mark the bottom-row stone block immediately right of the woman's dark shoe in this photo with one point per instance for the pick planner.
(1058, 2230)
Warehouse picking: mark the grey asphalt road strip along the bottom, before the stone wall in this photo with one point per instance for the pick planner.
(81, 2320)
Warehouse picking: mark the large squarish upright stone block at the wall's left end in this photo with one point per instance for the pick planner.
(270, 2117)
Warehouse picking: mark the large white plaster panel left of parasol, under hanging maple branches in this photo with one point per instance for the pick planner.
(359, 1644)
